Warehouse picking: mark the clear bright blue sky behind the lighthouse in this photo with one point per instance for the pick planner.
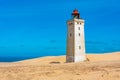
(38, 27)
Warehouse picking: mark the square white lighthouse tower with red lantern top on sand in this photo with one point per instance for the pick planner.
(75, 39)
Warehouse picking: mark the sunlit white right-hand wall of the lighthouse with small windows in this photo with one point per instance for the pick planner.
(79, 42)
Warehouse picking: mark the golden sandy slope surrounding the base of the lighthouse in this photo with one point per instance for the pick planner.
(99, 67)
